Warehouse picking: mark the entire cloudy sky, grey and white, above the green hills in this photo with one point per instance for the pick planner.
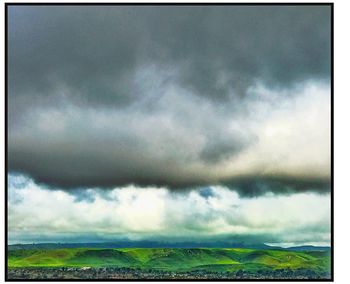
(169, 123)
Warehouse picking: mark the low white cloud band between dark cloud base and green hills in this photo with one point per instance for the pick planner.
(158, 214)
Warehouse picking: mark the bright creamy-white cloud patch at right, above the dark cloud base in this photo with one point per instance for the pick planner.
(293, 133)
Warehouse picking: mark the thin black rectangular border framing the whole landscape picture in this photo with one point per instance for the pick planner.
(330, 4)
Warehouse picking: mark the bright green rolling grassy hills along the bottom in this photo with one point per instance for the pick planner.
(172, 259)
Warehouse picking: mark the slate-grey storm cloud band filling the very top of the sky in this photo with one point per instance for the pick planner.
(94, 50)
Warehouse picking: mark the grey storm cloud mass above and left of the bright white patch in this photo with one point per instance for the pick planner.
(108, 96)
